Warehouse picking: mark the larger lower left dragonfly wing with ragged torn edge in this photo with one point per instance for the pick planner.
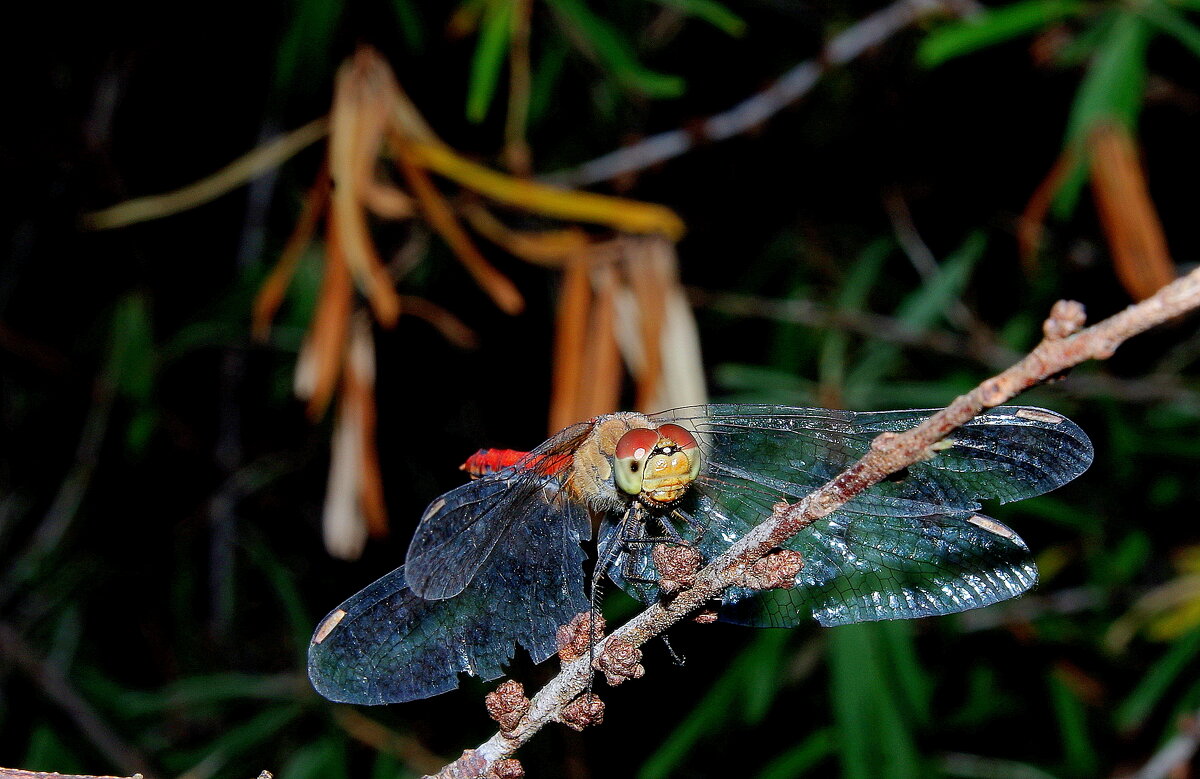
(392, 645)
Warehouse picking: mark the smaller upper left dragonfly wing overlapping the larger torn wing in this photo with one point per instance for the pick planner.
(461, 530)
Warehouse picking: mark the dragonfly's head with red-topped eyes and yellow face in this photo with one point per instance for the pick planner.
(657, 465)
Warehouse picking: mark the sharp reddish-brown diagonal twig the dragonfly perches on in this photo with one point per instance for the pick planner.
(1064, 346)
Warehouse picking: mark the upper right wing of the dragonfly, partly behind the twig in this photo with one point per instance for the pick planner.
(1009, 453)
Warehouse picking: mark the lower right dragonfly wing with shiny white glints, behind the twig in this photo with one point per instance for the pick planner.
(875, 559)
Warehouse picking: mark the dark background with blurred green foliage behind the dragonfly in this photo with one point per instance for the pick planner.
(154, 475)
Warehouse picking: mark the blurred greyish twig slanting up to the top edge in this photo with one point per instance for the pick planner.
(753, 112)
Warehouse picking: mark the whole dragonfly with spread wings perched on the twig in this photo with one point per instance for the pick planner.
(499, 564)
